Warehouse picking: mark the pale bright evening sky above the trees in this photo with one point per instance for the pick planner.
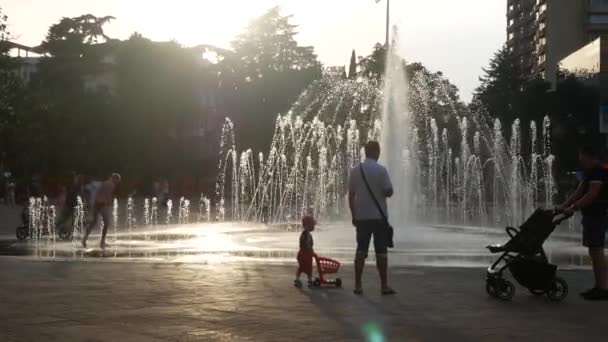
(455, 37)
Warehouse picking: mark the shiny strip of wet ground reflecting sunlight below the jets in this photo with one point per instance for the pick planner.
(227, 242)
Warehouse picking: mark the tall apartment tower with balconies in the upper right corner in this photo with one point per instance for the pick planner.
(543, 32)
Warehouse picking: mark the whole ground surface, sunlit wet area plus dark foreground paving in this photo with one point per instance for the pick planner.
(233, 282)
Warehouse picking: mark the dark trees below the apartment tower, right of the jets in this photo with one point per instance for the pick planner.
(572, 106)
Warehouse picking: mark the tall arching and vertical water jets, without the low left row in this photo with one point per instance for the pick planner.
(485, 180)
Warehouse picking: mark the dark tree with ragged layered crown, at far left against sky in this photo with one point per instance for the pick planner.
(65, 116)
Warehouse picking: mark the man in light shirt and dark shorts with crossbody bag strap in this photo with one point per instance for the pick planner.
(369, 180)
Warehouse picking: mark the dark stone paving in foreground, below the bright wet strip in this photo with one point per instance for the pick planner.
(96, 300)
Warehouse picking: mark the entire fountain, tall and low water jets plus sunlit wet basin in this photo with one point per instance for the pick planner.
(456, 179)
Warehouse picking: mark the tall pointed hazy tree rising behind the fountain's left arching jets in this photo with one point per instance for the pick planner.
(269, 71)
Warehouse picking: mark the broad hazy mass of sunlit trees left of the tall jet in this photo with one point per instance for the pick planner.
(97, 104)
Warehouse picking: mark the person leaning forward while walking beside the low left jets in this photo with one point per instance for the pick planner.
(102, 206)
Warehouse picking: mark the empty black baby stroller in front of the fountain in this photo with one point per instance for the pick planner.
(525, 258)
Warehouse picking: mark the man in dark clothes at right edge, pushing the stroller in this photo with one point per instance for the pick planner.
(590, 199)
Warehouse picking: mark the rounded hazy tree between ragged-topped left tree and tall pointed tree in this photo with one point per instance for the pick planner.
(158, 95)
